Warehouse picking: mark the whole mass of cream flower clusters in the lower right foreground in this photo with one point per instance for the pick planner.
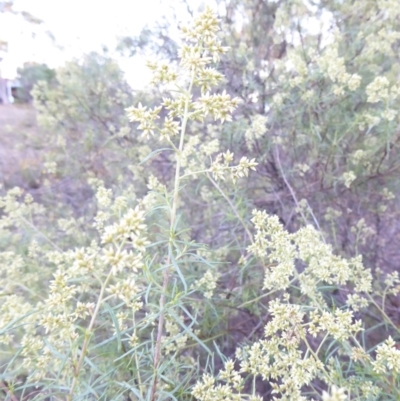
(304, 260)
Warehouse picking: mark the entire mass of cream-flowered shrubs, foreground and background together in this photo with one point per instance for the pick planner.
(238, 240)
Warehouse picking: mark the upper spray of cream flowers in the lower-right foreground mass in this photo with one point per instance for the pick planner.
(282, 250)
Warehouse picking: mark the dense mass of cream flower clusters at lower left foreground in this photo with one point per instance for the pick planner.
(69, 302)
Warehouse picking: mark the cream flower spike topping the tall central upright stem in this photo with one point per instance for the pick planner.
(201, 48)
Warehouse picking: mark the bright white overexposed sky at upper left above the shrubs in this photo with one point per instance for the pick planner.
(79, 26)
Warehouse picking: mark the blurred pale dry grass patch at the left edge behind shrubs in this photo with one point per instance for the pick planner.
(23, 152)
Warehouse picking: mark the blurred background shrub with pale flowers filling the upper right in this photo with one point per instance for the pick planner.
(320, 98)
